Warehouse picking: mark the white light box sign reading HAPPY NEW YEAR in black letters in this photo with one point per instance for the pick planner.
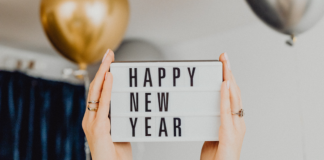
(166, 101)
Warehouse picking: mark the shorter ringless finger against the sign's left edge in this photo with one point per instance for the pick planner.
(104, 104)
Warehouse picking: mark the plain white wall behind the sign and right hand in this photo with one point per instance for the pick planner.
(282, 90)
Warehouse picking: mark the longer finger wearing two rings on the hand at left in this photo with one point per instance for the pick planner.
(96, 84)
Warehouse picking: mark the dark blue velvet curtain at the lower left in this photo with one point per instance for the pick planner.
(40, 119)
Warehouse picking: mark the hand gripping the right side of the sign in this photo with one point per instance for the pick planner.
(232, 129)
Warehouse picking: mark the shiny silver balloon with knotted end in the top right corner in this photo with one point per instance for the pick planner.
(290, 17)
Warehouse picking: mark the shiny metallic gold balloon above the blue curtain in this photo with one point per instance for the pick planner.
(82, 30)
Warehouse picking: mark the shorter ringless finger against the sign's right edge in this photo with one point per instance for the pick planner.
(226, 114)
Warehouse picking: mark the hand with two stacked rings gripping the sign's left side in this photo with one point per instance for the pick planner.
(96, 124)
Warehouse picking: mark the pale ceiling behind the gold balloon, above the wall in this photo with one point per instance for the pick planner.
(163, 23)
